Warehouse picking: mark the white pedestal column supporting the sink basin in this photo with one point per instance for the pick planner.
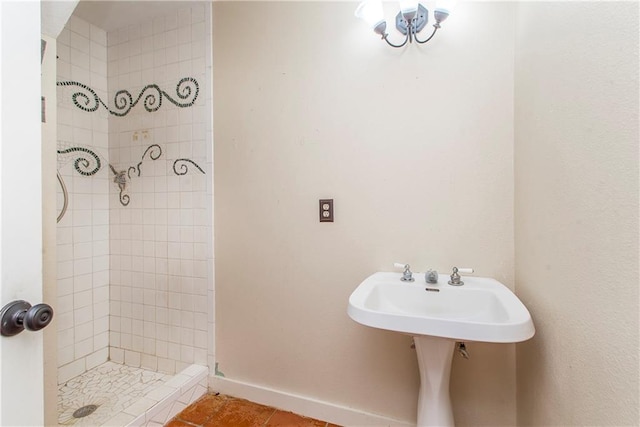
(434, 361)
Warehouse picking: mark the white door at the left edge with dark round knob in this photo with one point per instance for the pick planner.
(21, 356)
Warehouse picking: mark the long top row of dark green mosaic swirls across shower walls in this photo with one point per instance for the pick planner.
(123, 100)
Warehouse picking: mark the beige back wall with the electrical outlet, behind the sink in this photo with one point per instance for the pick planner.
(416, 148)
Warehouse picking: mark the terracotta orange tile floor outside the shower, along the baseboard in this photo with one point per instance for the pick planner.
(216, 410)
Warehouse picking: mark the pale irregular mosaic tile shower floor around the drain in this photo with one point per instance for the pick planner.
(111, 387)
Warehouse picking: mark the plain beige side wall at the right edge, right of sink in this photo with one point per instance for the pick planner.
(576, 187)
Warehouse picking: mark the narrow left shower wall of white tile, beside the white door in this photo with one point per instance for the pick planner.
(83, 232)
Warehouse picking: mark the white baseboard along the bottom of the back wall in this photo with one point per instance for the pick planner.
(302, 405)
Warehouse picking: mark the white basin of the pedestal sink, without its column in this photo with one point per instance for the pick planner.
(482, 309)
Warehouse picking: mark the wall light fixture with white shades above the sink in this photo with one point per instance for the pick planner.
(411, 19)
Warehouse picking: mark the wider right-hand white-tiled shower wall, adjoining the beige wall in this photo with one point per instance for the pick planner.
(161, 269)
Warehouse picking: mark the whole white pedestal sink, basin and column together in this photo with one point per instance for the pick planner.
(438, 315)
